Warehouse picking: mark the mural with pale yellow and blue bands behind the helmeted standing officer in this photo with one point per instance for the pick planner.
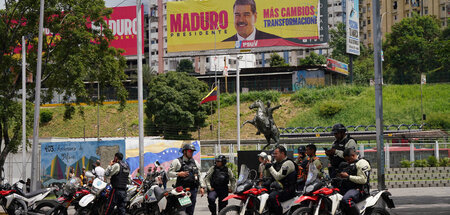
(163, 151)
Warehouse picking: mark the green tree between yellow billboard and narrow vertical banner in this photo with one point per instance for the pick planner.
(338, 43)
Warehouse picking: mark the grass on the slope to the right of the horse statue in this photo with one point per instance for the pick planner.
(401, 104)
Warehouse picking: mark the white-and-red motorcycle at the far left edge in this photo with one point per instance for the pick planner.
(14, 201)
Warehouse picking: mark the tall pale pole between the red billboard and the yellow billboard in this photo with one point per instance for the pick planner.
(140, 88)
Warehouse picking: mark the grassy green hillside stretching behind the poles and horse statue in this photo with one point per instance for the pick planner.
(350, 105)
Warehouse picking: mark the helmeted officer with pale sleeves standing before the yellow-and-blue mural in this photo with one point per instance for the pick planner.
(187, 172)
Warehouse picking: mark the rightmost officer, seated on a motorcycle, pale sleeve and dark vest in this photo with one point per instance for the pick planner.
(355, 183)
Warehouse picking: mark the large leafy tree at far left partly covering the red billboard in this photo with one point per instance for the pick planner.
(75, 53)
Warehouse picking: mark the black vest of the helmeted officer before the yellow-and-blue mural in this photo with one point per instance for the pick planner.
(191, 180)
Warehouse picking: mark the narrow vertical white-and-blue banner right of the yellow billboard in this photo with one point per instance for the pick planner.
(352, 26)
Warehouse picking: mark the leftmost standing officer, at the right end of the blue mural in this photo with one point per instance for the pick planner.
(118, 171)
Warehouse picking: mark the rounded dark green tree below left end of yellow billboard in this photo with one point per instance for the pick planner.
(173, 105)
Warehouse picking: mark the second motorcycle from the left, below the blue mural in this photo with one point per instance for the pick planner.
(72, 194)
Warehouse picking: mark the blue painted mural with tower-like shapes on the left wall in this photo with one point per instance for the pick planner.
(58, 157)
